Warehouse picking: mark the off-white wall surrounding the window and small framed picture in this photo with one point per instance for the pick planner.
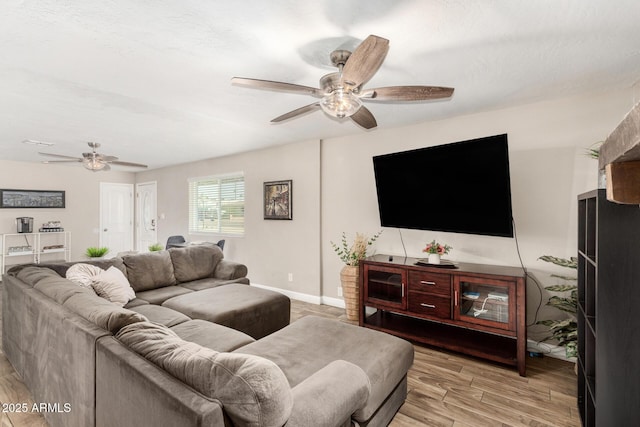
(270, 248)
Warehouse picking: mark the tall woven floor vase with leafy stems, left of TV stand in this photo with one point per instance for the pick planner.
(351, 255)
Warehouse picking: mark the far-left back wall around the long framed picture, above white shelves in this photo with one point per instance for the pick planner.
(81, 216)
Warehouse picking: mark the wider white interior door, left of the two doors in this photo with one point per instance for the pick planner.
(116, 217)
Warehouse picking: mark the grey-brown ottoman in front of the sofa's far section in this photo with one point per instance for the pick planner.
(256, 312)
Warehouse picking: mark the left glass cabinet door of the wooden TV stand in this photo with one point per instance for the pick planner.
(385, 287)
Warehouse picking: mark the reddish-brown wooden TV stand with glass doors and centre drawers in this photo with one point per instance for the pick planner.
(474, 309)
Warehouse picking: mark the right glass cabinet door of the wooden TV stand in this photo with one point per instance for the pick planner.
(485, 302)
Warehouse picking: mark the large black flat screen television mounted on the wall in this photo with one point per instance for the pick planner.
(462, 187)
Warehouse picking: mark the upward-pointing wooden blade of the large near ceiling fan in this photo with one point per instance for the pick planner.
(365, 61)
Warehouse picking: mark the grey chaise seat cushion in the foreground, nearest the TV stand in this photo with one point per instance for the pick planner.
(384, 358)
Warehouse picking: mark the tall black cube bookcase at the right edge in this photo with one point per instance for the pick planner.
(608, 311)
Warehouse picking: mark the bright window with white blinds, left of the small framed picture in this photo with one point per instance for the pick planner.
(216, 204)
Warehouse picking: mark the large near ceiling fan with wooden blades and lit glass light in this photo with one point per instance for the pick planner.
(341, 94)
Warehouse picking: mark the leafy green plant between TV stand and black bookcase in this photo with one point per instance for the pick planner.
(564, 331)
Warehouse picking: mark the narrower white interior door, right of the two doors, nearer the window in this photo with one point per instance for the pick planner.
(146, 215)
